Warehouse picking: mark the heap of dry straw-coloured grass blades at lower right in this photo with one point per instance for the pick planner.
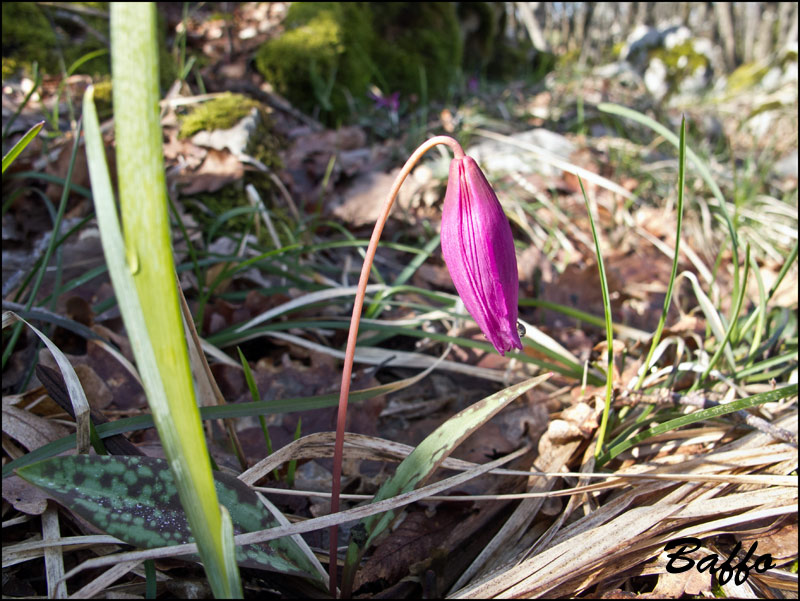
(625, 535)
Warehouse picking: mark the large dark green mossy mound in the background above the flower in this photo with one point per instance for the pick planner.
(332, 51)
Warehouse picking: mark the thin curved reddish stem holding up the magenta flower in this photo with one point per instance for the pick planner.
(347, 368)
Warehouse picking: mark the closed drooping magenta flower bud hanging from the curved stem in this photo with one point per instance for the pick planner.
(478, 249)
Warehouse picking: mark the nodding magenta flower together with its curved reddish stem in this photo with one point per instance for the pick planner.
(478, 249)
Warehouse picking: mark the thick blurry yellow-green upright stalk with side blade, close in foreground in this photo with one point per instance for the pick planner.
(151, 311)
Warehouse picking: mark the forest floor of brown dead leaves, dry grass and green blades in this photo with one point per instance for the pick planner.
(268, 258)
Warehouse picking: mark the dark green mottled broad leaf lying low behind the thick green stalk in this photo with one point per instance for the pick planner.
(135, 499)
